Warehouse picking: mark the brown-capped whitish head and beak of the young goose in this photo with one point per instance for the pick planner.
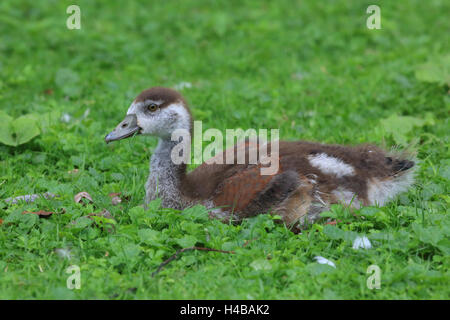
(156, 112)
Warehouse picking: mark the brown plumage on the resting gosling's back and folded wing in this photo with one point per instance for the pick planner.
(241, 187)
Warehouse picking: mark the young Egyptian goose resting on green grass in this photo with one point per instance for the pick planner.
(310, 176)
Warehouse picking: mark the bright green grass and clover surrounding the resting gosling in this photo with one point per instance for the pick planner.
(310, 68)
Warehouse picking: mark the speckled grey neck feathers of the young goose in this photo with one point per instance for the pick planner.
(165, 177)
